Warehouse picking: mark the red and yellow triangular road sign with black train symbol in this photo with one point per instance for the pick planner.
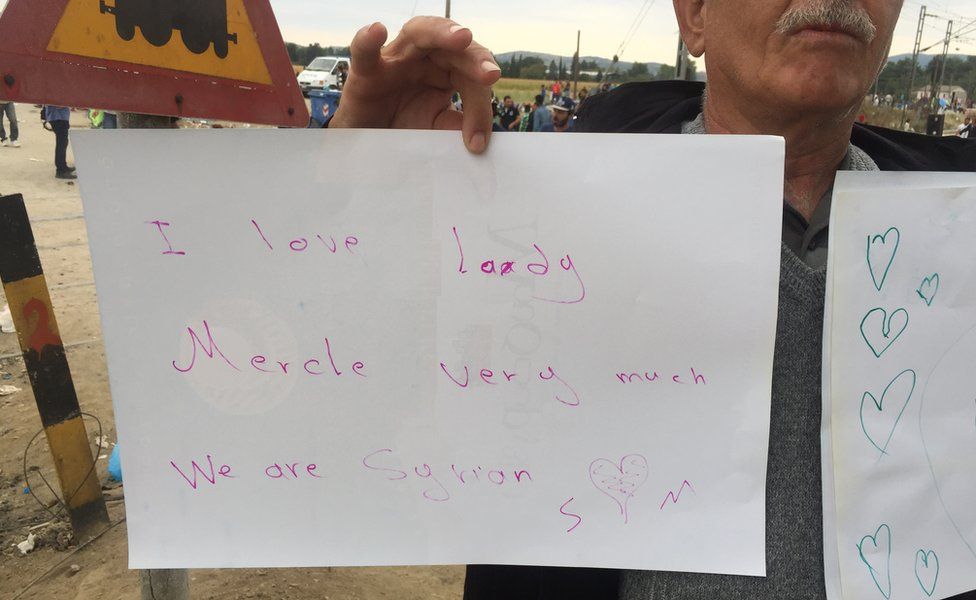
(217, 59)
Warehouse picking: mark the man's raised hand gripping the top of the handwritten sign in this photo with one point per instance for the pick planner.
(408, 84)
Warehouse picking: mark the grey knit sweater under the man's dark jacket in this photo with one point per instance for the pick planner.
(794, 513)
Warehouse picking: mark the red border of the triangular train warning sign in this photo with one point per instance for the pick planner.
(31, 73)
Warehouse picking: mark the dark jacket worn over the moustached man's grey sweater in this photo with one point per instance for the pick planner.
(661, 107)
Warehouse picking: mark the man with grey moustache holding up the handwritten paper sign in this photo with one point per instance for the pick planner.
(793, 68)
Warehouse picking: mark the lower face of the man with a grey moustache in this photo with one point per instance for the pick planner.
(800, 54)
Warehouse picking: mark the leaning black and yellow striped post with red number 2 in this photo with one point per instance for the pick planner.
(47, 367)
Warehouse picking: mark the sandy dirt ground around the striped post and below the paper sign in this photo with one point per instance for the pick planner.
(58, 568)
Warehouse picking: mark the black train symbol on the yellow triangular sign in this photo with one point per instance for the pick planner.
(200, 22)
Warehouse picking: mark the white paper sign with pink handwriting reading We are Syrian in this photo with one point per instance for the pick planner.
(369, 348)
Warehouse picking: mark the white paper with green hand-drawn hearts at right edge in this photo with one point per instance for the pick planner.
(900, 387)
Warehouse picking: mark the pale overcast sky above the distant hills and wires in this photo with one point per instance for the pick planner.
(550, 25)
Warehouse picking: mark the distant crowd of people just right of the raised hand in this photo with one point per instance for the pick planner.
(554, 109)
